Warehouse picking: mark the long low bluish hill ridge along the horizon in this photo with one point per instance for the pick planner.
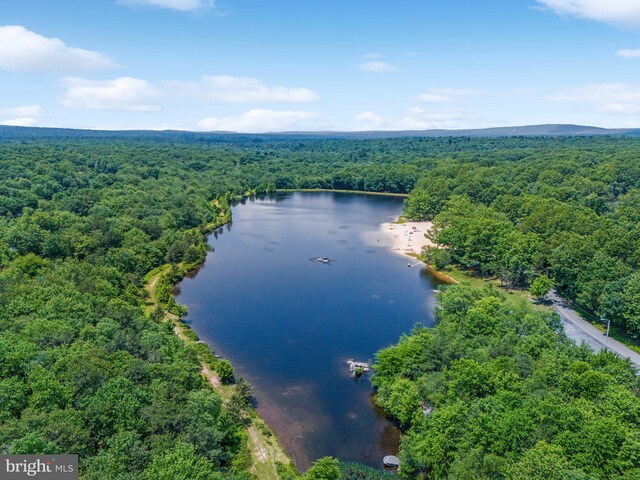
(34, 133)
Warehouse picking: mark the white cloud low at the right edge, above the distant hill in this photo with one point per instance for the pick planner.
(610, 98)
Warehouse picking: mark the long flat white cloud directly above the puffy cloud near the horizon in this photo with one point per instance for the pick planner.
(225, 88)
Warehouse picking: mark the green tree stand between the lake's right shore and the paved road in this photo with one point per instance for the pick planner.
(495, 391)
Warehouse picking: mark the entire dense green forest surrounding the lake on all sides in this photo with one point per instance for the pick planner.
(85, 369)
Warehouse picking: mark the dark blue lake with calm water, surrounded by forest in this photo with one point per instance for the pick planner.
(288, 324)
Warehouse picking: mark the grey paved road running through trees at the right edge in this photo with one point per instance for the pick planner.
(580, 330)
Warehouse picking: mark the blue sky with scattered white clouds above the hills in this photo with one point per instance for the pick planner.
(298, 65)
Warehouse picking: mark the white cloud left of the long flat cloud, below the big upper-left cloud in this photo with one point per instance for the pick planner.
(124, 93)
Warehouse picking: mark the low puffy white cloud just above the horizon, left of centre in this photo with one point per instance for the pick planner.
(259, 121)
